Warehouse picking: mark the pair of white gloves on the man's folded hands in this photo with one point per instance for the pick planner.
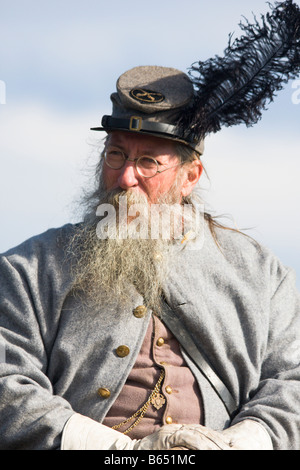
(83, 433)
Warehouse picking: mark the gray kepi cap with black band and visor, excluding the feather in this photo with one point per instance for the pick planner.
(150, 100)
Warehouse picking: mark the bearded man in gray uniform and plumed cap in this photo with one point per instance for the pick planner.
(120, 337)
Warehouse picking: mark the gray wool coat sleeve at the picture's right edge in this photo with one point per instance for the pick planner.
(276, 401)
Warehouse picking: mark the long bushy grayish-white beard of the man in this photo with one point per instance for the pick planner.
(106, 265)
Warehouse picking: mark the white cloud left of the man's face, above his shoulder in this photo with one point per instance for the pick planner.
(44, 158)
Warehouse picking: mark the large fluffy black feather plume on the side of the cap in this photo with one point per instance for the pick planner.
(234, 89)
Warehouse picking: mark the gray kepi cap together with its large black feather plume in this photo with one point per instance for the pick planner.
(222, 91)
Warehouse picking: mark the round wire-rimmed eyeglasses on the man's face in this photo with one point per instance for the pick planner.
(145, 166)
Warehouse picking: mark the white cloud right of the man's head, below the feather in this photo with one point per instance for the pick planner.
(255, 180)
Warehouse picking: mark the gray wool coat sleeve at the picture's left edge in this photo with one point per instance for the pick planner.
(31, 416)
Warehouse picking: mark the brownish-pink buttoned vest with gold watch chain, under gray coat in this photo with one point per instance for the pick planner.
(179, 389)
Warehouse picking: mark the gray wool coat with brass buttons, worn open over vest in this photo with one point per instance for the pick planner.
(238, 306)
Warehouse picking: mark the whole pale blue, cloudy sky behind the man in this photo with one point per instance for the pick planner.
(59, 62)
